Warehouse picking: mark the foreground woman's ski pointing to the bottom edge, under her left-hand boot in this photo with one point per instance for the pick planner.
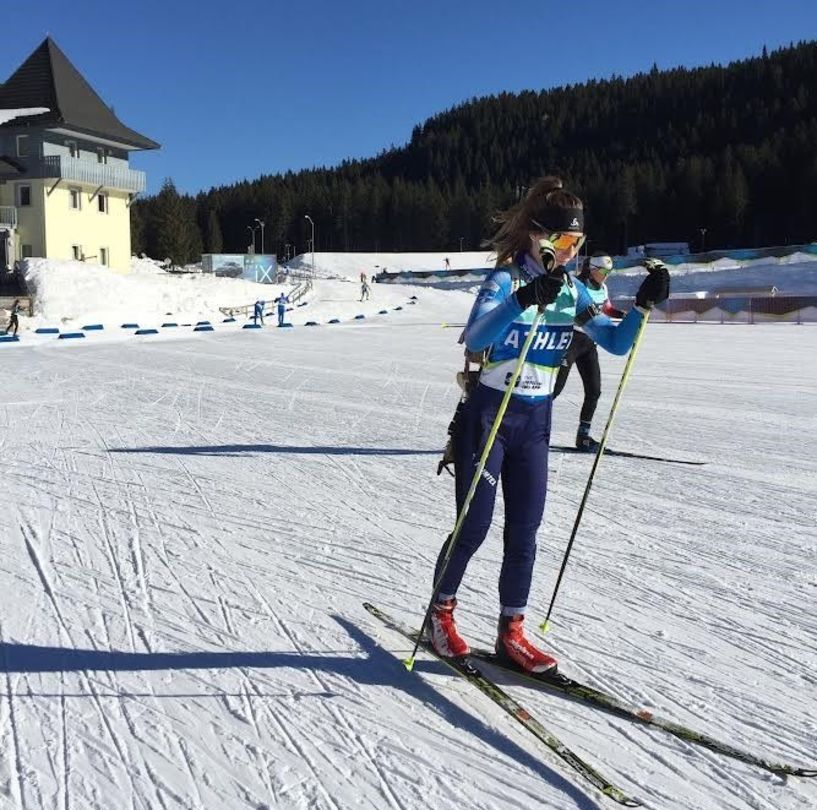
(466, 669)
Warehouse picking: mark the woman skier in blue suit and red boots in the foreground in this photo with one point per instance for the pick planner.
(536, 238)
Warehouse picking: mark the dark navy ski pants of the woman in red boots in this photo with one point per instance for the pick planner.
(518, 459)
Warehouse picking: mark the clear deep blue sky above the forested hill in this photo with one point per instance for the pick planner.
(237, 89)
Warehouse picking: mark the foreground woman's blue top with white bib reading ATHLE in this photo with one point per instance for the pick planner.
(497, 323)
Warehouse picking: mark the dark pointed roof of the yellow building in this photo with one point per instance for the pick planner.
(48, 79)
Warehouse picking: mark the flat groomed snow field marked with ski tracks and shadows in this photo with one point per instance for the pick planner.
(190, 526)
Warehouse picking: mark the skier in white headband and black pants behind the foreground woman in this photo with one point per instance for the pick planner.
(583, 352)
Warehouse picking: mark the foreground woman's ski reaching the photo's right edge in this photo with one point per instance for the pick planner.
(602, 700)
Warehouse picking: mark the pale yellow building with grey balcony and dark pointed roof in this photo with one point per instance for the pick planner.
(65, 183)
